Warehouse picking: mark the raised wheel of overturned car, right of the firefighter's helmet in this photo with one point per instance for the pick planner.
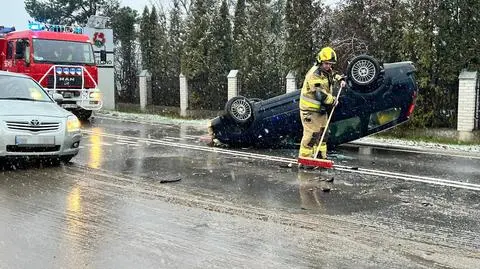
(363, 70)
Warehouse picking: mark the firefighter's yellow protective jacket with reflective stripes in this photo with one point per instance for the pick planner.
(317, 81)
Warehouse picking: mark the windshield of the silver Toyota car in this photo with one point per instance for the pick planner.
(21, 88)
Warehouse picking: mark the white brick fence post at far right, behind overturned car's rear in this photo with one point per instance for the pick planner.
(466, 103)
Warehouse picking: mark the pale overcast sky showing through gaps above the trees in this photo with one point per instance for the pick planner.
(15, 14)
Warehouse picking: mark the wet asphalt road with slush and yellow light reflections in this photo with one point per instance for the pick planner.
(111, 207)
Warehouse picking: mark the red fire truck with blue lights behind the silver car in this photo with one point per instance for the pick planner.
(60, 58)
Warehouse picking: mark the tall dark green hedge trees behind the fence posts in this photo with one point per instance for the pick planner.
(268, 38)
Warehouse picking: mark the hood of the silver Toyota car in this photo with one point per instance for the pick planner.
(27, 108)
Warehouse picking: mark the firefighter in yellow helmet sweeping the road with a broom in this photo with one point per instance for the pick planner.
(315, 96)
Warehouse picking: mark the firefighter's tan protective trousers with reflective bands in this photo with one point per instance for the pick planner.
(313, 125)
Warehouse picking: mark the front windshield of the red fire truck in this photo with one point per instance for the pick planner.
(62, 52)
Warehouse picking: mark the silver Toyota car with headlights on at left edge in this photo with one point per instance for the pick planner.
(32, 124)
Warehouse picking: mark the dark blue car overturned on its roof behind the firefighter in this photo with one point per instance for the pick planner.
(378, 97)
